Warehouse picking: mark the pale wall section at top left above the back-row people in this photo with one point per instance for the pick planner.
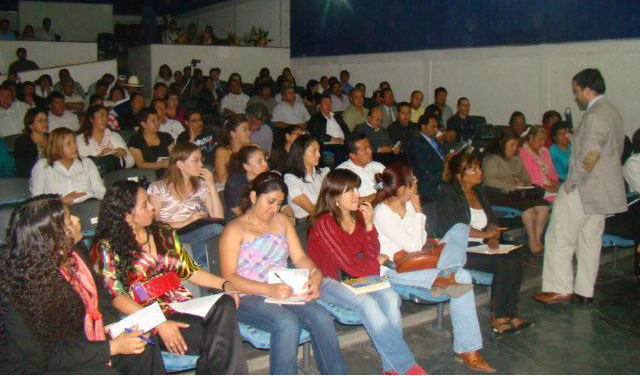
(72, 21)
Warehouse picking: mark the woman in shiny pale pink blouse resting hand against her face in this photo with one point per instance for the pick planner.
(187, 200)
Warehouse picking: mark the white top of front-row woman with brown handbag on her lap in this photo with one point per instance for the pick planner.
(397, 233)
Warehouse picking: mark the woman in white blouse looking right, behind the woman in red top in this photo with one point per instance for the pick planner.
(303, 177)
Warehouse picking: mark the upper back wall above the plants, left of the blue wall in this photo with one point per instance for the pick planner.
(240, 15)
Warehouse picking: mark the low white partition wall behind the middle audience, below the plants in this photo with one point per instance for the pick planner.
(145, 61)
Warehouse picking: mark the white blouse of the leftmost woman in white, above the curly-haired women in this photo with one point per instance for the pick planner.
(82, 176)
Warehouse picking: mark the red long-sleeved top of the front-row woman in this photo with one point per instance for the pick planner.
(332, 249)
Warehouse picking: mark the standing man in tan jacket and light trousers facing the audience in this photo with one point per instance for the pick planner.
(593, 189)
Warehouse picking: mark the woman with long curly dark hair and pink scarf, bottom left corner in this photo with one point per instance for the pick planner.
(54, 323)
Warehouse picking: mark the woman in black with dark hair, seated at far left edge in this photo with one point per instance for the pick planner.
(32, 144)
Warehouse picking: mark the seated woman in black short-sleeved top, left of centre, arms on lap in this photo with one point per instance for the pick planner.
(149, 148)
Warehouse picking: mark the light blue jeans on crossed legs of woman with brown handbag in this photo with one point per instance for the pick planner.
(464, 319)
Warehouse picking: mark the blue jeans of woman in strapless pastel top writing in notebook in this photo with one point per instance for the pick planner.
(284, 322)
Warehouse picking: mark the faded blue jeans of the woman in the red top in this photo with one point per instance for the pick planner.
(380, 315)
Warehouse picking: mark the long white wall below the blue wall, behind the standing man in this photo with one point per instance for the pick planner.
(497, 80)
